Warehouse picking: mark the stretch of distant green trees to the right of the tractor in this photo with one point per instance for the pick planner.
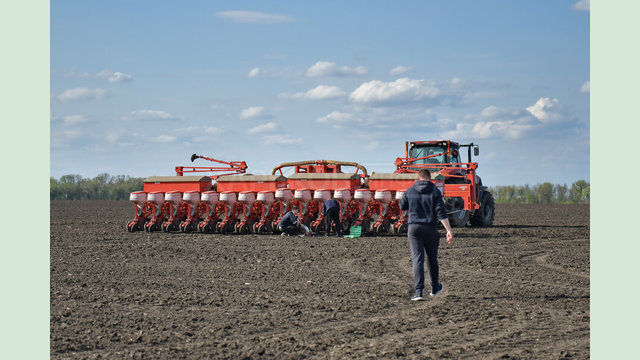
(545, 193)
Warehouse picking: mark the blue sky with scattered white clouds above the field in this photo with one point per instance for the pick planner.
(139, 86)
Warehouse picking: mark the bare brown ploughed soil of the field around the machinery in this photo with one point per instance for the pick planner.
(519, 289)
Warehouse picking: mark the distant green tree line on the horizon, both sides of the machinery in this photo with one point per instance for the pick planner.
(107, 187)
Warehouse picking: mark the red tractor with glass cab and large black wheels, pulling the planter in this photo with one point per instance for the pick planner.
(466, 199)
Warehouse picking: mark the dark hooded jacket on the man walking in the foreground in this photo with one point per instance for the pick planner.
(424, 202)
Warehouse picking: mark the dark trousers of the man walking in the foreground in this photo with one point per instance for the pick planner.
(424, 239)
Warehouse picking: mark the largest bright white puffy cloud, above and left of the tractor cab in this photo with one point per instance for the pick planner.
(401, 90)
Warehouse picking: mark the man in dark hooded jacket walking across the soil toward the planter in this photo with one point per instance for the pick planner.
(425, 205)
